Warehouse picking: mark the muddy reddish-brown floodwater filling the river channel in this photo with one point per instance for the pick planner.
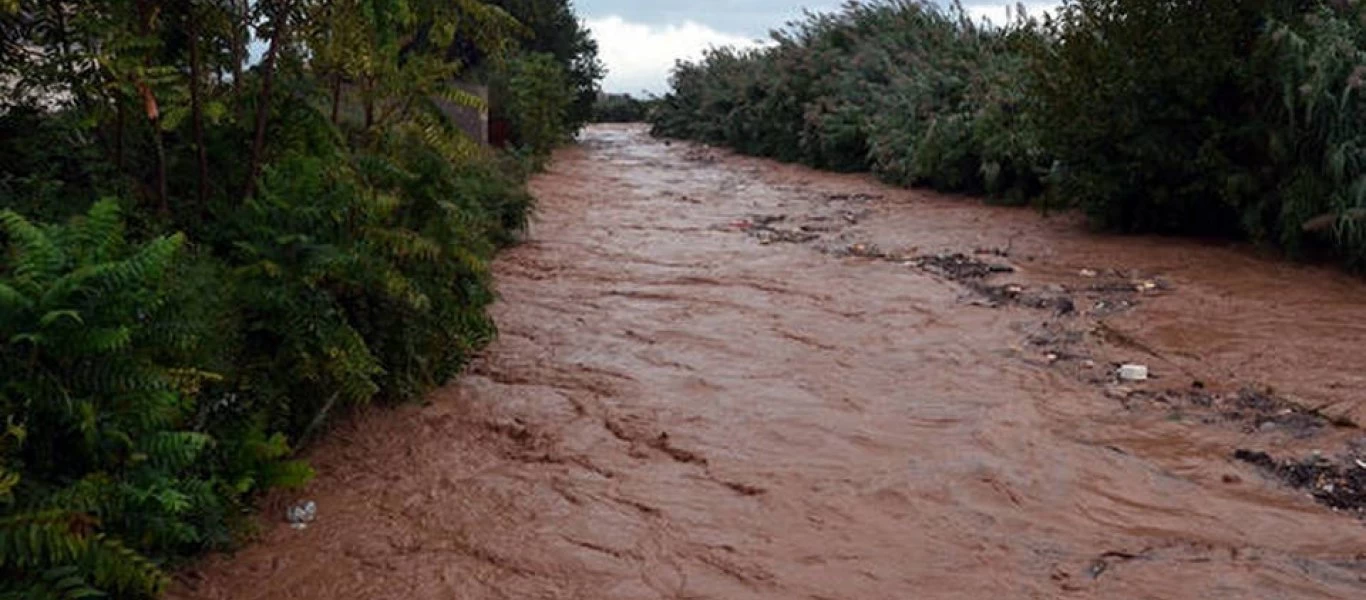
(711, 386)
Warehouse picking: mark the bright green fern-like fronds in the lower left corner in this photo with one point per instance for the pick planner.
(94, 467)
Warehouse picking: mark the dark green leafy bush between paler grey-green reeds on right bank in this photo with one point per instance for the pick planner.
(1143, 100)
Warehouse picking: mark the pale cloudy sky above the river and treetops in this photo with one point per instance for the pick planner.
(640, 39)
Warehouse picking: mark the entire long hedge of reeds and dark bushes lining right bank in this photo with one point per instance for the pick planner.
(1231, 118)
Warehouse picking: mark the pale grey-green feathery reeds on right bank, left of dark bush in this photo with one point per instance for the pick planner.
(908, 91)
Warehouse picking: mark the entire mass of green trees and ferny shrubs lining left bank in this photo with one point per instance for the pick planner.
(204, 260)
